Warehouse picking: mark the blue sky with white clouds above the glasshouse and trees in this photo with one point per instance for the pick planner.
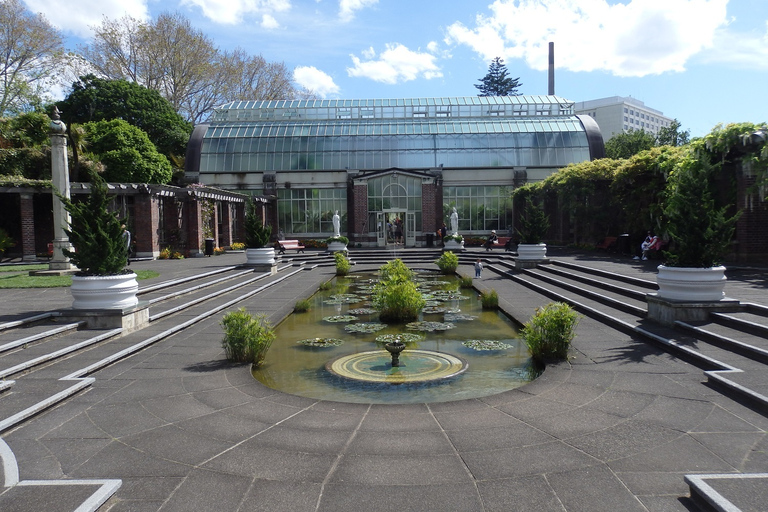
(702, 62)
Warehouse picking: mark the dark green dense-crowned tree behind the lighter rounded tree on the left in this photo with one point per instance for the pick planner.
(98, 99)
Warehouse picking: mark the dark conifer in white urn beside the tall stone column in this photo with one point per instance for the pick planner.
(100, 252)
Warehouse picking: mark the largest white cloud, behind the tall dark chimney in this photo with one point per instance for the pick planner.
(634, 38)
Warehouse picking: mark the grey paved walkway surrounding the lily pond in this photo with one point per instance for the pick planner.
(614, 429)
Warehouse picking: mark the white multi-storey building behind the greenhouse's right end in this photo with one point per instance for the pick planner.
(619, 114)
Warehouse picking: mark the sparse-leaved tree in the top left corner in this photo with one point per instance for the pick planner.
(30, 50)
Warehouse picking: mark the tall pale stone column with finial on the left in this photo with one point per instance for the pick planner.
(60, 177)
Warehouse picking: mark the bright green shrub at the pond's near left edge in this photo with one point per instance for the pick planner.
(246, 339)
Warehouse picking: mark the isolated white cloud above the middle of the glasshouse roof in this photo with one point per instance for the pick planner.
(395, 64)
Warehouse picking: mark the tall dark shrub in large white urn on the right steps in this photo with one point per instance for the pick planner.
(700, 234)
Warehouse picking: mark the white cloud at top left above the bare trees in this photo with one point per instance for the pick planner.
(87, 13)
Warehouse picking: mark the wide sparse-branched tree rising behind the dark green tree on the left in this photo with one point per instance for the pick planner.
(183, 64)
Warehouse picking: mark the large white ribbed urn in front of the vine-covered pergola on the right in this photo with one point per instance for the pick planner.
(691, 284)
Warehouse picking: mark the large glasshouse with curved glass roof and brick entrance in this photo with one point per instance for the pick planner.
(380, 161)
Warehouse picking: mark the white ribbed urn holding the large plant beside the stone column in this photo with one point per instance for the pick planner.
(104, 292)
